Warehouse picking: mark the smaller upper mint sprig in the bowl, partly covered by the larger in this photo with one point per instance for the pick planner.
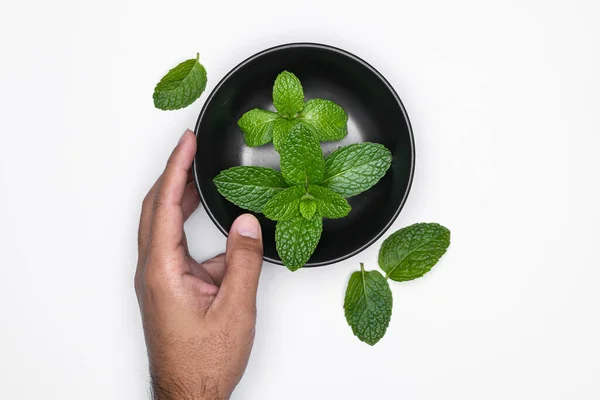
(325, 120)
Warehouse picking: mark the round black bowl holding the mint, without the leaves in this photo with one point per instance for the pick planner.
(375, 113)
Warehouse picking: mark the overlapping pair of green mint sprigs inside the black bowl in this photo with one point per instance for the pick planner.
(314, 187)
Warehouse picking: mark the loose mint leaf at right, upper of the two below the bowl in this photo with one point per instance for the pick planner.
(411, 252)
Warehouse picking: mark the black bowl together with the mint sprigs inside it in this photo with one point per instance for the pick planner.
(350, 193)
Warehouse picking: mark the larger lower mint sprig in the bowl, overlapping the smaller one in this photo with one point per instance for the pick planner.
(304, 198)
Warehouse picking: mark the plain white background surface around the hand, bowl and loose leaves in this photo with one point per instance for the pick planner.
(504, 102)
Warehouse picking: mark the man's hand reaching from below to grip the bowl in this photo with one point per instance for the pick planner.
(198, 319)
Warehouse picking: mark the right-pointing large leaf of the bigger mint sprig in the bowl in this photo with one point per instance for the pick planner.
(355, 168)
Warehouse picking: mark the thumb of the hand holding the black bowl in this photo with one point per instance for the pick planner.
(243, 263)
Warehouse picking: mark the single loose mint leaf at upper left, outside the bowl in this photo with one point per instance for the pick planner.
(181, 86)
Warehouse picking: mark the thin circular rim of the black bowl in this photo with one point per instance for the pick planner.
(378, 75)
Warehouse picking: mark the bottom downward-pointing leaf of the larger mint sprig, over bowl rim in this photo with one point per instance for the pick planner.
(297, 239)
